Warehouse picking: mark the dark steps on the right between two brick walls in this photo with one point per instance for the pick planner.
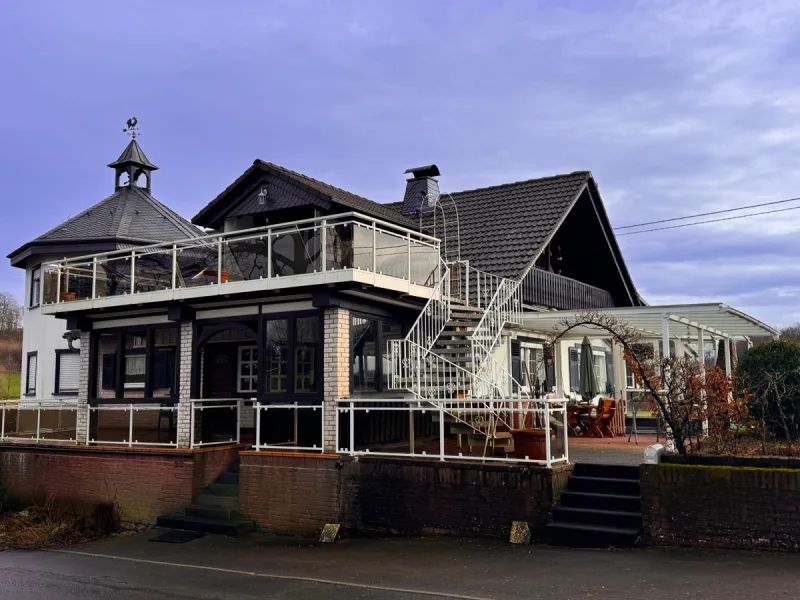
(600, 507)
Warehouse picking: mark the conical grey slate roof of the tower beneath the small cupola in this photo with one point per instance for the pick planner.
(130, 214)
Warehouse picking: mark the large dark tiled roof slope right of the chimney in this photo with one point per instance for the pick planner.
(503, 227)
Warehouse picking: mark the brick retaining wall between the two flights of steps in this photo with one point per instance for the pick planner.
(300, 493)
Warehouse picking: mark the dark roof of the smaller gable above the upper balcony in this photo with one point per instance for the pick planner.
(338, 195)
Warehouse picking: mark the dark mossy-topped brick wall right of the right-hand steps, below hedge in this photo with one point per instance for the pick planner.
(721, 507)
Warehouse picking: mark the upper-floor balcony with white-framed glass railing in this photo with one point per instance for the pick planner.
(350, 247)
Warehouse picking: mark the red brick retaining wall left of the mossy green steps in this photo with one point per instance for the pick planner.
(143, 484)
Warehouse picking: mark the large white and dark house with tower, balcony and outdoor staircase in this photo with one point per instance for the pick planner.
(294, 315)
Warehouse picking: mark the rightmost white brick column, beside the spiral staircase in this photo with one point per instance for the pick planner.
(336, 373)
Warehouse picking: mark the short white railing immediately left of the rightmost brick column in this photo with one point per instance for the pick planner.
(288, 419)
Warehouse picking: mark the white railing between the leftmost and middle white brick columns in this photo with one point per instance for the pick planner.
(132, 425)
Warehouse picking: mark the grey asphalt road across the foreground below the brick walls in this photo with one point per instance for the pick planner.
(131, 567)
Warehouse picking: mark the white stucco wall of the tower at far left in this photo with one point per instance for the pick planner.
(42, 334)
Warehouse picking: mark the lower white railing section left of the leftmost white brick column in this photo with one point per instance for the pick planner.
(48, 421)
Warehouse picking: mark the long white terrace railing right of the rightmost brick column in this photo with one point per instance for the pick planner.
(546, 419)
